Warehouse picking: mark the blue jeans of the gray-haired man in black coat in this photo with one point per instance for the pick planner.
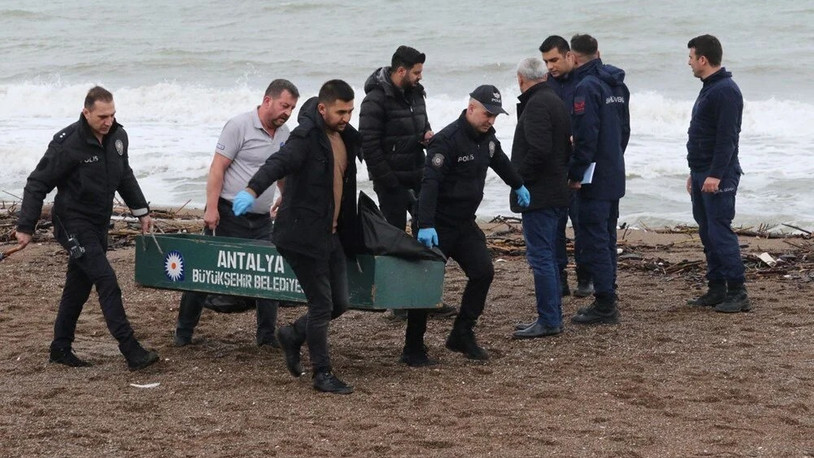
(540, 233)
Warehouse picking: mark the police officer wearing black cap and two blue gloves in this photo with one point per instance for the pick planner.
(451, 191)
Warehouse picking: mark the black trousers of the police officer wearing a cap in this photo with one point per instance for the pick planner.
(466, 244)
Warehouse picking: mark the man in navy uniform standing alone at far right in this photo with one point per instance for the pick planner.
(712, 153)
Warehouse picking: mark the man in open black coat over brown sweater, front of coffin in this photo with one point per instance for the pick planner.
(316, 222)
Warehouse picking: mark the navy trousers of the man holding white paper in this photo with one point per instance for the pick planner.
(597, 233)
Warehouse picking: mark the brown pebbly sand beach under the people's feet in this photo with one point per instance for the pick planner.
(669, 380)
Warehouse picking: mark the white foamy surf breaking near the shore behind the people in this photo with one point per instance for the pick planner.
(173, 129)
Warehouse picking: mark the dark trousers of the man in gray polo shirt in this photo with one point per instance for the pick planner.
(250, 226)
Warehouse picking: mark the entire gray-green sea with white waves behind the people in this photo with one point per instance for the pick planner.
(179, 70)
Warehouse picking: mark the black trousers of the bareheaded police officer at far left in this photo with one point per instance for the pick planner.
(92, 269)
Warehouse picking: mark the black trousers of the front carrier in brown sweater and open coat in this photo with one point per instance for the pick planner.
(325, 284)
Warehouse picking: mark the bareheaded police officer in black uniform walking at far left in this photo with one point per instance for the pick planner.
(87, 163)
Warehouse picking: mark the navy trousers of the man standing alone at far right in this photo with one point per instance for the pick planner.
(714, 214)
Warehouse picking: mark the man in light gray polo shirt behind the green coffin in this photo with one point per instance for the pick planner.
(244, 145)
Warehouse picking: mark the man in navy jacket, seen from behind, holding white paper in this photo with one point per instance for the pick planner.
(601, 127)
